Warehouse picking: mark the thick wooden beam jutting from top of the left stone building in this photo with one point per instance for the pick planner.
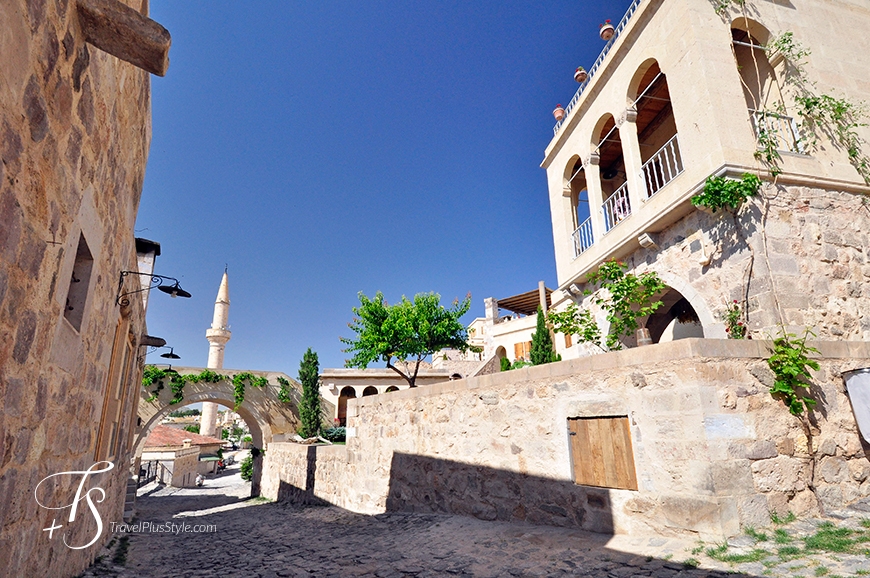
(114, 27)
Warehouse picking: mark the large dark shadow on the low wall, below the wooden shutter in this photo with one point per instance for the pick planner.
(432, 485)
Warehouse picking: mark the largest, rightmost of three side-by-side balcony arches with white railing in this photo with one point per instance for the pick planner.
(656, 128)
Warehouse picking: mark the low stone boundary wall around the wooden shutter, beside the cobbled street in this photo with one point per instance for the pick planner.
(713, 451)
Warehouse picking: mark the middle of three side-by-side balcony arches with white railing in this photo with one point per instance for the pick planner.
(614, 182)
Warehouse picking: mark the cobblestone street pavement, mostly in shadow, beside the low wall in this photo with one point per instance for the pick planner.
(257, 538)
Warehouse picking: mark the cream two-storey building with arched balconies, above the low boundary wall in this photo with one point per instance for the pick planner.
(661, 112)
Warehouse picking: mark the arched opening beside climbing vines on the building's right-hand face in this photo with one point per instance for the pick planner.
(761, 88)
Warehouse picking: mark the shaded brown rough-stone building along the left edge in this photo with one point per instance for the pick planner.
(74, 137)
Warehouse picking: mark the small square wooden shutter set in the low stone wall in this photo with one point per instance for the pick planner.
(601, 452)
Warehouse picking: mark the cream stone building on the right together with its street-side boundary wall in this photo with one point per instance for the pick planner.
(679, 438)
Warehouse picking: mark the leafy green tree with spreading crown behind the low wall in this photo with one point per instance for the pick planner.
(407, 332)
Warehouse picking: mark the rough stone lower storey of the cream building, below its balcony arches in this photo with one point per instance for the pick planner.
(809, 255)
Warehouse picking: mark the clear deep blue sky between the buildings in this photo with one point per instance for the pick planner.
(320, 149)
